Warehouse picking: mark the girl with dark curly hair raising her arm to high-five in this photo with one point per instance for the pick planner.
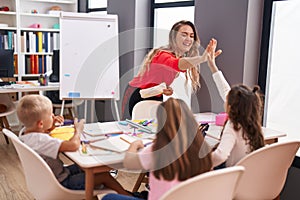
(242, 133)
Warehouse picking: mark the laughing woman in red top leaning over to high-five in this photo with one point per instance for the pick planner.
(164, 63)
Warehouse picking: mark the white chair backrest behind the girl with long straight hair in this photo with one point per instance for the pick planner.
(213, 185)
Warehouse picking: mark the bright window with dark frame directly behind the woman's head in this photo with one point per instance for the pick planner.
(165, 14)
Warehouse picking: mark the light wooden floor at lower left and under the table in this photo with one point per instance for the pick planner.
(12, 180)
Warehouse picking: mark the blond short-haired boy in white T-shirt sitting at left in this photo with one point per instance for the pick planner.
(35, 112)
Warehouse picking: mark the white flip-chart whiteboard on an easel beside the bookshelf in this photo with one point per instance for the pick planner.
(89, 56)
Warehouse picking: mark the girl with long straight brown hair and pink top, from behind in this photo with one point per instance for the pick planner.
(178, 153)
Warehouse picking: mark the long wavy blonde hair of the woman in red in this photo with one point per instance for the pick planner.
(193, 72)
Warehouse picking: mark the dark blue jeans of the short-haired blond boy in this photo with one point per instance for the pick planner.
(76, 179)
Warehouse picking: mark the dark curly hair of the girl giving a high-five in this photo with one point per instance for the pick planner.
(245, 111)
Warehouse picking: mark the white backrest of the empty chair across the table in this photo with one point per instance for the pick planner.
(145, 109)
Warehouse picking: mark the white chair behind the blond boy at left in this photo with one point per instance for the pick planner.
(40, 180)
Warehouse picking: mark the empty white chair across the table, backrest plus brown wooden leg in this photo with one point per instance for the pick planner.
(144, 110)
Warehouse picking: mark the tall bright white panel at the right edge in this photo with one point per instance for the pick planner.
(283, 85)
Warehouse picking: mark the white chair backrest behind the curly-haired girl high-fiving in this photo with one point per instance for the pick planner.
(266, 170)
